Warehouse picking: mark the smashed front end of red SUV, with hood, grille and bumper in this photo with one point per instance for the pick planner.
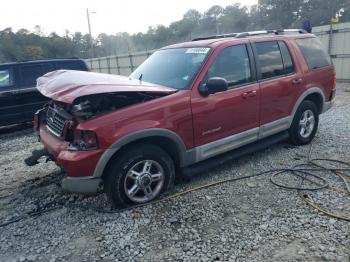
(76, 98)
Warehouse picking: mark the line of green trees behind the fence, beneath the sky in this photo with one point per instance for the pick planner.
(268, 14)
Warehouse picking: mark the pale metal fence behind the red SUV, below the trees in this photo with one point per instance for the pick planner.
(337, 43)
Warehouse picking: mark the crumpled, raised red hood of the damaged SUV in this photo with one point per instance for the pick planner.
(67, 85)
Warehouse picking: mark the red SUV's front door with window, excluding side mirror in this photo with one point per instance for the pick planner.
(229, 119)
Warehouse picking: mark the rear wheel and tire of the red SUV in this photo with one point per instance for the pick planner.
(305, 124)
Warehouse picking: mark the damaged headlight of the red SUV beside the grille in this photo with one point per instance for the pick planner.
(84, 140)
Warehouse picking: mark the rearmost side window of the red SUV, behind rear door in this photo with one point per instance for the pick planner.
(313, 52)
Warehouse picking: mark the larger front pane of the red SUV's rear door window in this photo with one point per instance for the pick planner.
(270, 60)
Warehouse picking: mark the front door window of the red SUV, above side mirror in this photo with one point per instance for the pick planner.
(233, 65)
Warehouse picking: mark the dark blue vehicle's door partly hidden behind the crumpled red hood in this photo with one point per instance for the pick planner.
(29, 98)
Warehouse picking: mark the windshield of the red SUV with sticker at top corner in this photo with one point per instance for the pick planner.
(174, 68)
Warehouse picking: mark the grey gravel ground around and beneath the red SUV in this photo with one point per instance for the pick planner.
(248, 220)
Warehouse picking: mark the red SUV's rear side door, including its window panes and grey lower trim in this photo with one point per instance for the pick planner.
(279, 83)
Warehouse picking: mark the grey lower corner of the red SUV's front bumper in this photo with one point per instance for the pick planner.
(81, 185)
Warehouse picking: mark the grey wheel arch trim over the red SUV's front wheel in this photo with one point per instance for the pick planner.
(186, 156)
